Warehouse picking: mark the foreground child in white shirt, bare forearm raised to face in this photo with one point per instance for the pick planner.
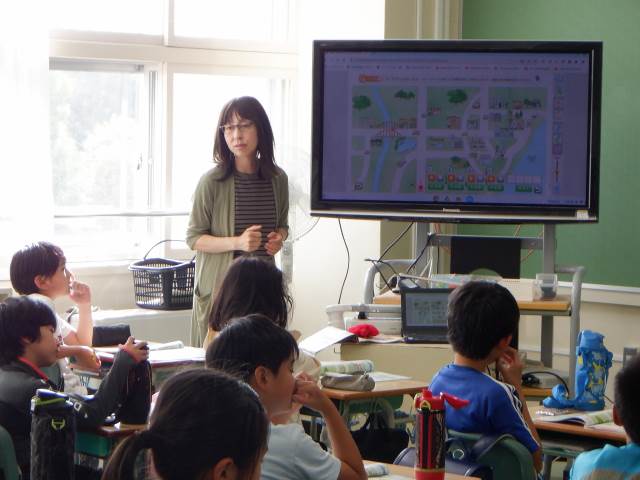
(262, 354)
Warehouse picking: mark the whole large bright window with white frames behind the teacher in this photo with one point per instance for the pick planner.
(130, 139)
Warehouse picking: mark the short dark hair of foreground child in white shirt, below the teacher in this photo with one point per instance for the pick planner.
(248, 343)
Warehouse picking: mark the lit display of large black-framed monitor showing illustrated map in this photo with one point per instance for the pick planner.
(456, 127)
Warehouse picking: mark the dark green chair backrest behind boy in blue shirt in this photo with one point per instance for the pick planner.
(504, 454)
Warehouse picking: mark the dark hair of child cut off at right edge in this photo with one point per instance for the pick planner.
(627, 398)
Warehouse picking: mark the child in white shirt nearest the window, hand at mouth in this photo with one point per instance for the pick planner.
(40, 271)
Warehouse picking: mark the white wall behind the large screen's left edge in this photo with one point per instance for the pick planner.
(320, 257)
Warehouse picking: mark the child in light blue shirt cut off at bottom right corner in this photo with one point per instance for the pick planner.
(617, 463)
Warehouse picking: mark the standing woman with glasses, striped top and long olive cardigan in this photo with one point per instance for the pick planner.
(240, 207)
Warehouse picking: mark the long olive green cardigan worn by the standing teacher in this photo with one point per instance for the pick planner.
(213, 213)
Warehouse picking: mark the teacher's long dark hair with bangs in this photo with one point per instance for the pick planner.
(247, 108)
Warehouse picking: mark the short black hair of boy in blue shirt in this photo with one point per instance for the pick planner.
(480, 315)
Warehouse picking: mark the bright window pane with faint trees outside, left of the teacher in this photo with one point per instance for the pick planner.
(103, 133)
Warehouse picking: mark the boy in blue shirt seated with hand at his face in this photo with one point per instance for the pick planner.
(482, 319)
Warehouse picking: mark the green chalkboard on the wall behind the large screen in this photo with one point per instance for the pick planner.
(610, 249)
